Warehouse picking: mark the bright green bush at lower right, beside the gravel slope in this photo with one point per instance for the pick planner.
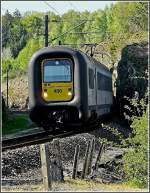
(136, 160)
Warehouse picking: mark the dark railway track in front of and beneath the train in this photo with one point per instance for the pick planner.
(40, 137)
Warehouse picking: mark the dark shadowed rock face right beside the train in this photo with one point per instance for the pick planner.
(132, 70)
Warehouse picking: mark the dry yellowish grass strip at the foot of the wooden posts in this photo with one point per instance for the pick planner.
(78, 185)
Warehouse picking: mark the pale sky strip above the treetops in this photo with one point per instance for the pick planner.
(60, 7)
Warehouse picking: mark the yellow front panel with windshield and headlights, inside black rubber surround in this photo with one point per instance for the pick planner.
(57, 80)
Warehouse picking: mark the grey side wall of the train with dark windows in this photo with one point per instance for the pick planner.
(100, 96)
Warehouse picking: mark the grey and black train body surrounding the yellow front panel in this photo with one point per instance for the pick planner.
(92, 84)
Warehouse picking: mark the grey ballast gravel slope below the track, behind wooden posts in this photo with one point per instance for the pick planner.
(24, 163)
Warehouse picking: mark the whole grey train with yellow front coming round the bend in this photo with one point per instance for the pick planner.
(67, 88)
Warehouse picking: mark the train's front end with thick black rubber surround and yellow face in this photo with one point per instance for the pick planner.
(54, 88)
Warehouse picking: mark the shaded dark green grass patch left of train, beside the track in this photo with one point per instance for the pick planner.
(16, 123)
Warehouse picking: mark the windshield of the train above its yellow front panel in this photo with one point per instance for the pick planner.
(57, 70)
